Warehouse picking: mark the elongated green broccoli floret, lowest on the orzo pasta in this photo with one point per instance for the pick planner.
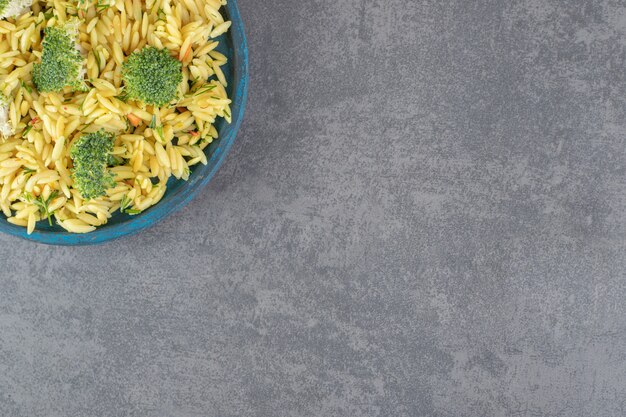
(91, 154)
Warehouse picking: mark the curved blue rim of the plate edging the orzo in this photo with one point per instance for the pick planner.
(176, 200)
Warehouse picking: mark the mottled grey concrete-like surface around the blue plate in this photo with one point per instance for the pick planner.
(424, 215)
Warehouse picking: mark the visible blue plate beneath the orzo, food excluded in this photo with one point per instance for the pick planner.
(179, 192)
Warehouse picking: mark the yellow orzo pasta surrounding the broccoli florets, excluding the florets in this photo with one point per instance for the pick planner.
(40, 128)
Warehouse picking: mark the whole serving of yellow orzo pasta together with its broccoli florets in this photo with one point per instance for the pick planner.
(102, 102)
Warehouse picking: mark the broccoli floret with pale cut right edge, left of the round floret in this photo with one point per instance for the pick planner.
(62, 64)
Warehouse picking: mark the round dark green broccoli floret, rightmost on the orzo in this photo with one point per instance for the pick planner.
(152, 76)
